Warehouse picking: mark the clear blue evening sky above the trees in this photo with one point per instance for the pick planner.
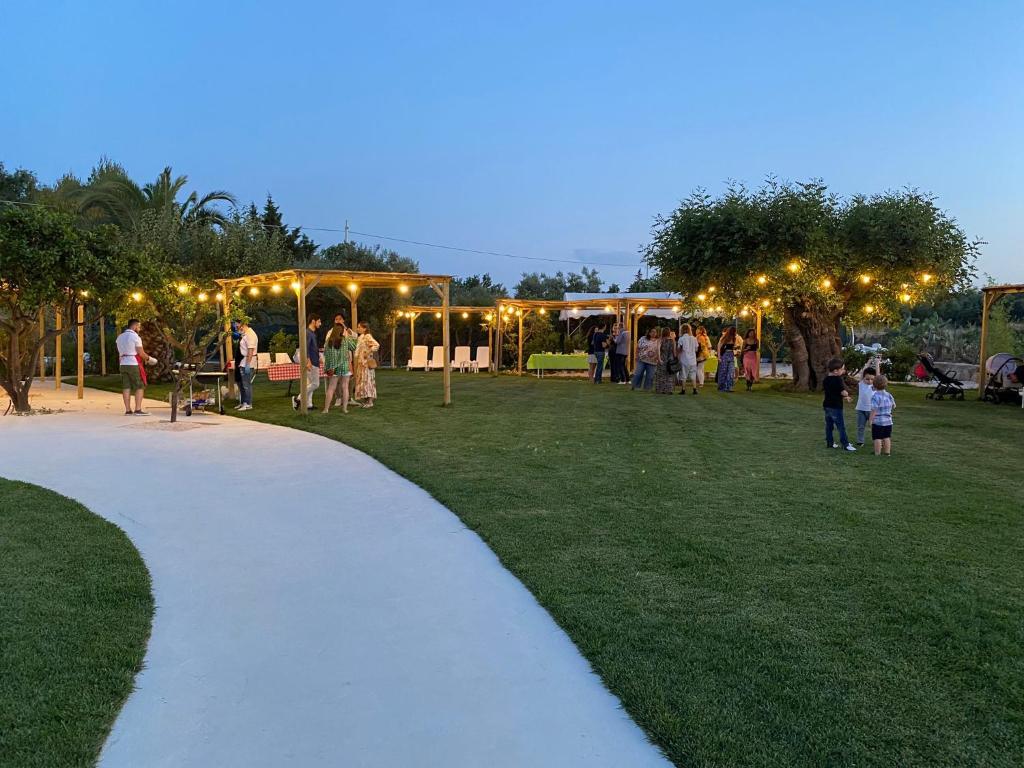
(552, 131)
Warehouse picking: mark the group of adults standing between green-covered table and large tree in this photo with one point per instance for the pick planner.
(665, 358)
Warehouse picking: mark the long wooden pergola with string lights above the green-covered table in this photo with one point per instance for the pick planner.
(625, 311)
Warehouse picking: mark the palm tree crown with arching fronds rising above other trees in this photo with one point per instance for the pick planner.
(111, 196)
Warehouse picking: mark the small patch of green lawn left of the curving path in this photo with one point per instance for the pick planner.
(75, 612)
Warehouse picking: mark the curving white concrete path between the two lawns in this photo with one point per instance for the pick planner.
(295, 628)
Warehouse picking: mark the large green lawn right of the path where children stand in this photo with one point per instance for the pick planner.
(753, 599)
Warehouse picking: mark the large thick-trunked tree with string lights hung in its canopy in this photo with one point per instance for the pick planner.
(812, 260)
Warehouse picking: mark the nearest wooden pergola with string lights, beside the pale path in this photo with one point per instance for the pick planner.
(352, 284)
